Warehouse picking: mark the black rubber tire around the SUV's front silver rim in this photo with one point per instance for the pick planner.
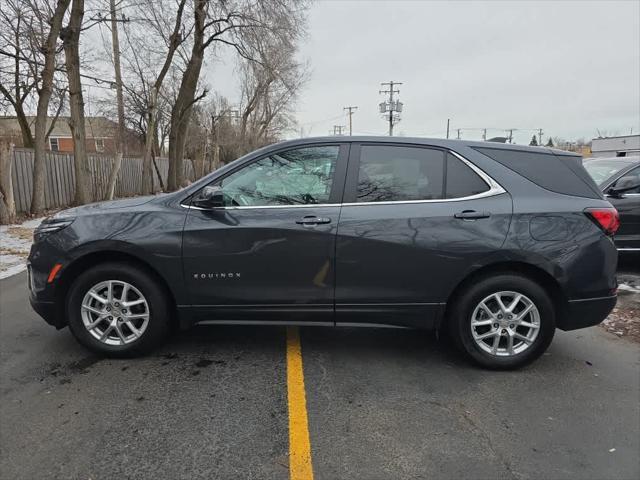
(159, 311)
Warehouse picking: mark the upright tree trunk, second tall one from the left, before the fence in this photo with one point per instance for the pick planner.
(70, 36)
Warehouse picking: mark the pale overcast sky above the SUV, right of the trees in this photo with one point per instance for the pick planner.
(567, 67)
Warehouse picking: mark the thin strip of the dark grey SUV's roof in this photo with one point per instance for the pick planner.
(436, 142)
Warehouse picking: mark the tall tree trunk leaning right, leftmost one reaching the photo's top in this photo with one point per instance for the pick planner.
(44, 96)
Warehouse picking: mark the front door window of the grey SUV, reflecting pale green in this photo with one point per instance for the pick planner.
(294, 177)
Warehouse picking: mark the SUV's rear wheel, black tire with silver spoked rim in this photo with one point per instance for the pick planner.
(467, 317)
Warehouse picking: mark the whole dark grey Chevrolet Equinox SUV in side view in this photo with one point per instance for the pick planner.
(496, 244)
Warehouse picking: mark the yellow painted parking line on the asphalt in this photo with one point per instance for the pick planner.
(300, 467)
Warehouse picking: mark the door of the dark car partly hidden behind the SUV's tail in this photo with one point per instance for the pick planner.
(627, 237)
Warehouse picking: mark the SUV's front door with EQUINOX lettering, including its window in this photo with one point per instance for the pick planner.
(269, 252)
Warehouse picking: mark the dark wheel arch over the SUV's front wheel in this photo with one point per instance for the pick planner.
(90, 259)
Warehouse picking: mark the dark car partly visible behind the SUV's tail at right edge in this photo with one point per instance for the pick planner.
(619, 179)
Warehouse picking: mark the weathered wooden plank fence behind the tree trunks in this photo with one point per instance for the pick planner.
(59, 188)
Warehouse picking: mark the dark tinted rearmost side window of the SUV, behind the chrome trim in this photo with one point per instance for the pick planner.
(561, 174)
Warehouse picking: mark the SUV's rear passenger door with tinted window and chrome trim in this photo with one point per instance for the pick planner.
(413, 222)
